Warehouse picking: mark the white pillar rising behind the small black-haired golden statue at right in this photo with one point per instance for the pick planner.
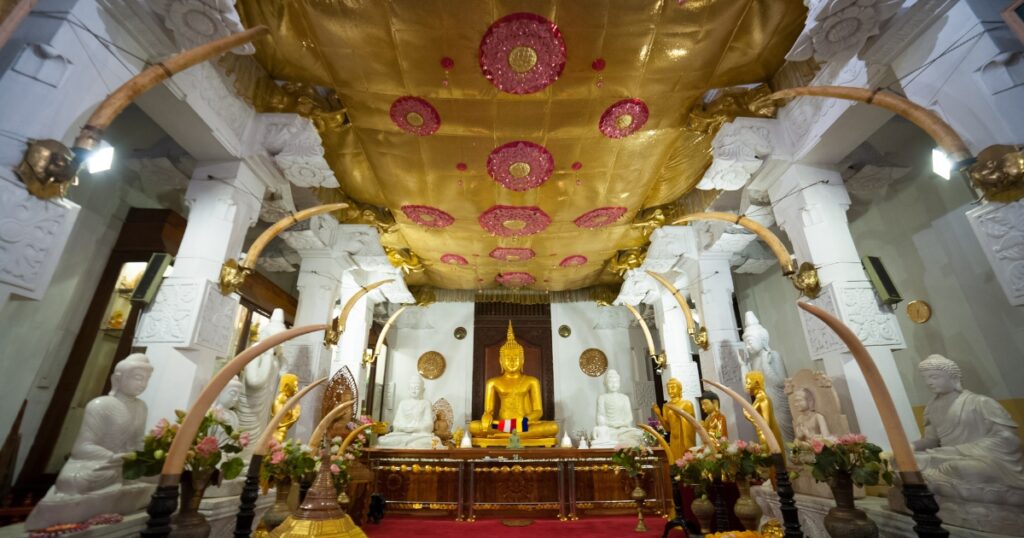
(720, 362)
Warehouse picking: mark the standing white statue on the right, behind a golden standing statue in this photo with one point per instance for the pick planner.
(759, 357)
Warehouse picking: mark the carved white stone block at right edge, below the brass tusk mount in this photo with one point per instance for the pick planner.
(1000, 229)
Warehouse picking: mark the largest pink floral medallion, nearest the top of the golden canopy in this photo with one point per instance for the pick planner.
(523, 54)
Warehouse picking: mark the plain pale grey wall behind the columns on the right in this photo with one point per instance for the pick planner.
(919, 230)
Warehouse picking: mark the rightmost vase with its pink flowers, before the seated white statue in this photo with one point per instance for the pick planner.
(842, 463)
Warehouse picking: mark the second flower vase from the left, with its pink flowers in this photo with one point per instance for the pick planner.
(287, 464)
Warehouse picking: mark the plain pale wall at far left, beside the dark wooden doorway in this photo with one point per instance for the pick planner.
(37, 336)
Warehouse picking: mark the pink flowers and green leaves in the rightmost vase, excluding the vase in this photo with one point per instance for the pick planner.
(851, 454)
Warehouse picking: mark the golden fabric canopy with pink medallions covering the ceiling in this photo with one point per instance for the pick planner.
(424, 119)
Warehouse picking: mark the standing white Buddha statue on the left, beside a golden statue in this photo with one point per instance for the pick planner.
(260, 381)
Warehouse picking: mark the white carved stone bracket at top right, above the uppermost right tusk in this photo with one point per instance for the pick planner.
(840, 28)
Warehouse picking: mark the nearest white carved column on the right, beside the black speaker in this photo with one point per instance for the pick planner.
(810, 206)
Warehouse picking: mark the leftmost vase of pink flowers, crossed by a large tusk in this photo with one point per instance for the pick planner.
(211, 459)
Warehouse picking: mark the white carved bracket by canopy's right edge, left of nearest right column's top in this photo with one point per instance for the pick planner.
(739, 150)
